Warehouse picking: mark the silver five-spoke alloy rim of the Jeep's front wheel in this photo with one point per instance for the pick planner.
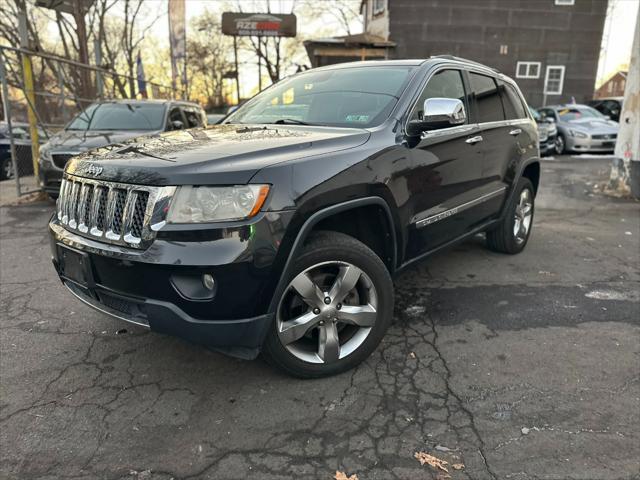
(327, 312)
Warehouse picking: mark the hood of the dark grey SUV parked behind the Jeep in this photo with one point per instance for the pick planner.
(83, 140)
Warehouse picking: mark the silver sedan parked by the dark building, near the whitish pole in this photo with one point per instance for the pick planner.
(581, 129)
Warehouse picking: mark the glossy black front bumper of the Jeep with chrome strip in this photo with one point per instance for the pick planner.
(155, 287)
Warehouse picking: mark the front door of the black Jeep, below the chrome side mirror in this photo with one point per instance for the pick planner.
(445, 172)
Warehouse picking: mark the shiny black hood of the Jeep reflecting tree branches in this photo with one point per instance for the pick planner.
(219, 154)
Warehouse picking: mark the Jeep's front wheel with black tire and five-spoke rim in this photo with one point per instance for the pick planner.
(336, 307)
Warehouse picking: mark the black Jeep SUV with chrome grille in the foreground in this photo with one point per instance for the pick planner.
(280, 229)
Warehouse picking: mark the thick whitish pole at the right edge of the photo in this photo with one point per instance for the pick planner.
(625, 171)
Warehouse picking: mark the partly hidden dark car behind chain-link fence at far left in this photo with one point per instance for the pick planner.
(22, 143)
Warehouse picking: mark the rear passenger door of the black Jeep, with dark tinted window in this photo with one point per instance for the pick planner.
(498, 143)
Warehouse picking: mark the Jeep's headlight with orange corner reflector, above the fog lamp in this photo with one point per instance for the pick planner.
(216, 204)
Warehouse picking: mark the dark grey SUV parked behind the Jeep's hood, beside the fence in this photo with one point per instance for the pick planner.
(108, 122)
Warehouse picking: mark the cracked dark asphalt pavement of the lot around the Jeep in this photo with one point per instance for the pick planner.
(505, 367)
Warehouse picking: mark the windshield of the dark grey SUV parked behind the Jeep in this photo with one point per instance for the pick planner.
(120, 116)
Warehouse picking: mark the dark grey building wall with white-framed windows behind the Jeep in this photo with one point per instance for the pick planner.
(500, 33)
